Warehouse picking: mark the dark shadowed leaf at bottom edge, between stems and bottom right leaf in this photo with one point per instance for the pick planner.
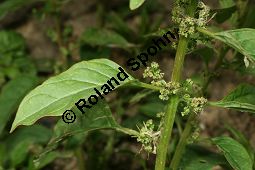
(202, 159)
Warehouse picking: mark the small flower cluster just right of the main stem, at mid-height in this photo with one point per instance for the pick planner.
(195, 104)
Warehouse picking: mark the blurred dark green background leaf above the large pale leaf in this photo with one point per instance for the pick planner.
(103, 37)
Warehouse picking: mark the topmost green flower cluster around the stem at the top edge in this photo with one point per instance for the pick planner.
(186, 23)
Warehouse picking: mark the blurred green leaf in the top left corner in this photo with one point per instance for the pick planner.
(12, 5)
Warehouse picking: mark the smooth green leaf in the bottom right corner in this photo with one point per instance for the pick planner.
(235, 153)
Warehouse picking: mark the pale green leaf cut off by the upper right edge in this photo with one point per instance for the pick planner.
(242, 40)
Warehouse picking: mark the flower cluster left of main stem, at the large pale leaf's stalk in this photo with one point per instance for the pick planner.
(167, 88)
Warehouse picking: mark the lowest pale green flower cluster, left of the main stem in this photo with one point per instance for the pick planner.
(148, 137)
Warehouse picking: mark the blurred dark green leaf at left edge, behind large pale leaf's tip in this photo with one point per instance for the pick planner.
(12, 94)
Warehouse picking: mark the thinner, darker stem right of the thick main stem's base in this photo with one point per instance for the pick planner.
(182, 143)
